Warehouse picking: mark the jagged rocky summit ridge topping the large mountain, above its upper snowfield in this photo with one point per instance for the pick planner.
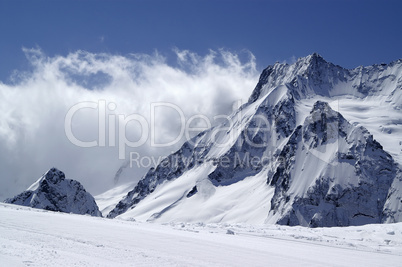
(313, 75)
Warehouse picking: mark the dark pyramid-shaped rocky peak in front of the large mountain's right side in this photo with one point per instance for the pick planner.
(333, 174)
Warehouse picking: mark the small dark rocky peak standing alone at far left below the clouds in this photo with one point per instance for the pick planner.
(54, 192)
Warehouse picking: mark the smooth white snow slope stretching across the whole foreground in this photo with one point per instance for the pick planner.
(32, 237)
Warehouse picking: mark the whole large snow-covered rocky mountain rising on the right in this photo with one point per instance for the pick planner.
(316, 145)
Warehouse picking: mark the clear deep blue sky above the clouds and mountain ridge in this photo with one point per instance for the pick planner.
(349, 33)
